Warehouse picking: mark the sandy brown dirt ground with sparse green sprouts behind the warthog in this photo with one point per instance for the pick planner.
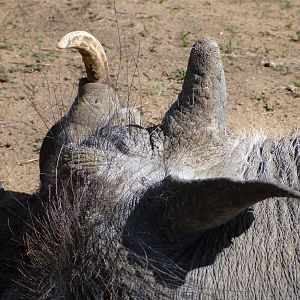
(259, 40)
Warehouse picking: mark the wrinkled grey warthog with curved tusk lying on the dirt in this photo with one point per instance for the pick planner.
(181, 210)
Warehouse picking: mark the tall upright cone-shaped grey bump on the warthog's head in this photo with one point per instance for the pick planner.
(200, 108)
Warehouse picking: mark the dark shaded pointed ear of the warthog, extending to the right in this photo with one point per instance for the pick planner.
(191, 206)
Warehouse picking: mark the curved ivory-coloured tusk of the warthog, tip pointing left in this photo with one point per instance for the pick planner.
(92, 53)
